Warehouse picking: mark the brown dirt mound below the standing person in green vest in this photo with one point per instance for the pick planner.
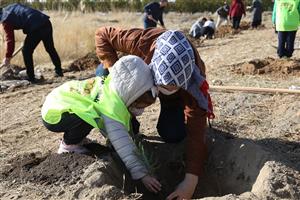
(269, 66)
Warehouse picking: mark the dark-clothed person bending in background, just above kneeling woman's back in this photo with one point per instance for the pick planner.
(154, 14)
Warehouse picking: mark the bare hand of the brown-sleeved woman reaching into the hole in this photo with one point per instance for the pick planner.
(185, 189)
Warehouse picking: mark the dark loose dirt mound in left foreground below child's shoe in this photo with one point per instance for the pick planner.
(50, 169)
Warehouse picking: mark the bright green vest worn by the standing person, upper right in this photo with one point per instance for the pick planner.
(286, 15)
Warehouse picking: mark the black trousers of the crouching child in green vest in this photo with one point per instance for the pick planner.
(74, 128)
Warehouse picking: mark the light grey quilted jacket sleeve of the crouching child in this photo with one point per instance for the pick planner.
(125, 147)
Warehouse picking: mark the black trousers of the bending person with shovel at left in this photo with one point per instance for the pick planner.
(44, 34)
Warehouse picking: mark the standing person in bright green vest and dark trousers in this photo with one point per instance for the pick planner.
(286, 18)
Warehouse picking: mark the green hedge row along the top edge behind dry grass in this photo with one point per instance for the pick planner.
(190, 6)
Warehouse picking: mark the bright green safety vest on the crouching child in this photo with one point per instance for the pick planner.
(88, 99)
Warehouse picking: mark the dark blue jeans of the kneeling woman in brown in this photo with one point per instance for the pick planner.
(170, 126)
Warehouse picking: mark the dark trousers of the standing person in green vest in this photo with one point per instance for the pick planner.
(286, 41)
